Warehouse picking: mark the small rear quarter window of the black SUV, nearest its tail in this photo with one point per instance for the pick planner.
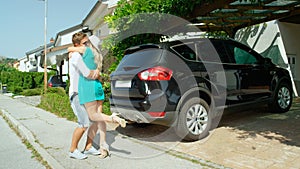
(187, 51)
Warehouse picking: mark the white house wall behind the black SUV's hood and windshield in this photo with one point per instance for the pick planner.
(278, 41)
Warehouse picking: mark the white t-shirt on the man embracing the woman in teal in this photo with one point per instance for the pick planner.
(77, 67)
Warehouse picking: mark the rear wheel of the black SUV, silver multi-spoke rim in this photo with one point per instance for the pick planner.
(194, 120)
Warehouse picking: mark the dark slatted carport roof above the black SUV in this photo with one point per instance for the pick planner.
(231, 15)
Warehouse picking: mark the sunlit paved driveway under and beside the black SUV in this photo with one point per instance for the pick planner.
(245, 139)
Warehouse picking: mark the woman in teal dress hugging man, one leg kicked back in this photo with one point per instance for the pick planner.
(90, 92)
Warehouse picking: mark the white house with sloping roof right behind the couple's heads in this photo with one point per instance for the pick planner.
(92, 24)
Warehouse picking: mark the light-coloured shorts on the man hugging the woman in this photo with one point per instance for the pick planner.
(79, 111)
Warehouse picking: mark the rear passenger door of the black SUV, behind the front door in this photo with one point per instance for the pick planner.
(220, 70)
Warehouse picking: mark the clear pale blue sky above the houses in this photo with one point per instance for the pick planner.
(22, 22)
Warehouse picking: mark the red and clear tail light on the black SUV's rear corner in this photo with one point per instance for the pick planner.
(156, 74)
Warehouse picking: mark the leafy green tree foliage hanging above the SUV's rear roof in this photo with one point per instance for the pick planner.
(137, 14)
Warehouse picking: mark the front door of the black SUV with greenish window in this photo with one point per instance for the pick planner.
(253, 75)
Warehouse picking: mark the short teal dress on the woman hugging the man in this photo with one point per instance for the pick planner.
(89, 90)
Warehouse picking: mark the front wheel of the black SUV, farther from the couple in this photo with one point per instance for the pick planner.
(282, 99)
